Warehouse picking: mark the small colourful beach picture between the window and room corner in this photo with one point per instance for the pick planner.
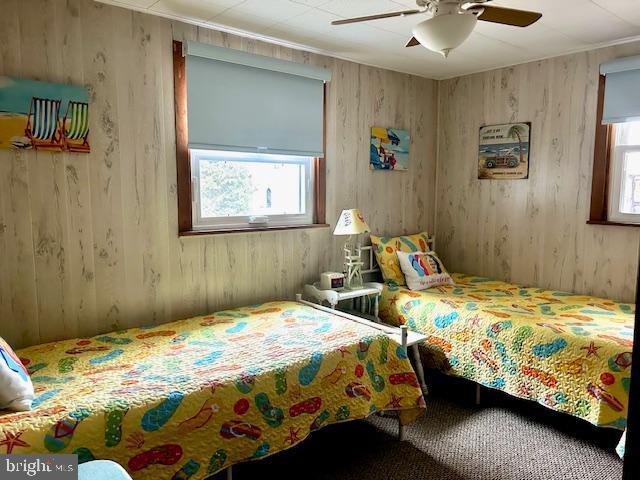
(389, 149)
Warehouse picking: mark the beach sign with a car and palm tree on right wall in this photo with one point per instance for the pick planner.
(503, 152)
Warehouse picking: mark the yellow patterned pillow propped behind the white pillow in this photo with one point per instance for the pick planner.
(385, 249)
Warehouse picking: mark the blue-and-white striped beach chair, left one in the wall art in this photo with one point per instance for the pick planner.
(43, 123)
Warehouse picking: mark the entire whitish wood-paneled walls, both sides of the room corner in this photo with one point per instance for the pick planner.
(89, 242)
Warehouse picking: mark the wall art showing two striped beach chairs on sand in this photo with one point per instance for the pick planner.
(43, 116)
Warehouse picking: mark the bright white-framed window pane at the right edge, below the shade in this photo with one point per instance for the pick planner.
(624, 188)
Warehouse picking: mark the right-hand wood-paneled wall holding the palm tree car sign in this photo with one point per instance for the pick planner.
(531, 231)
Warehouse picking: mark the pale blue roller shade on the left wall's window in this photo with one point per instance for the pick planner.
(250, 103)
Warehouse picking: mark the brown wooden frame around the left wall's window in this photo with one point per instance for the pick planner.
(183, 164)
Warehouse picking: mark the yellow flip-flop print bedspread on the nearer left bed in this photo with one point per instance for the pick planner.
(188, 398)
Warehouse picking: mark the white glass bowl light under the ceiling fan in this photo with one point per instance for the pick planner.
(443, 33)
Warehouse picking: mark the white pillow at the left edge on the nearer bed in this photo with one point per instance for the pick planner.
(16, 389)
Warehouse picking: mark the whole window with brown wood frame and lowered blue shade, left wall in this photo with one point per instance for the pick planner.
(249, 141)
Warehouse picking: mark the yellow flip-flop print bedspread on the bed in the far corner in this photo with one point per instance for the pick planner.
(569, 352)
